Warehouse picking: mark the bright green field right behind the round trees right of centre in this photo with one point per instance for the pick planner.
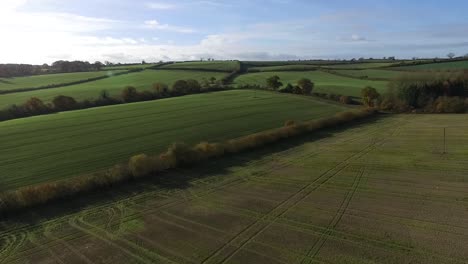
(324, 82)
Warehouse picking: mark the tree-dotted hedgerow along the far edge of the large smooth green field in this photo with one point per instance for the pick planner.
(34, 106)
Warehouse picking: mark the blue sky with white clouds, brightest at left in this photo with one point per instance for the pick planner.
(43, 31)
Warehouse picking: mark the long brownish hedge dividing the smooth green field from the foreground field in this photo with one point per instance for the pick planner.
(177, 155)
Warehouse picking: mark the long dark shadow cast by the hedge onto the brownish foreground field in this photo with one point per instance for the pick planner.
(175, 179)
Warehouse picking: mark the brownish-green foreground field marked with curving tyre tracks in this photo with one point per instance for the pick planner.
(377, 192)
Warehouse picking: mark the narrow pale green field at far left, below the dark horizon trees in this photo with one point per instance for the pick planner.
(48, 79)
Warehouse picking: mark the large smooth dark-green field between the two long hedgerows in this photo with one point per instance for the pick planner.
(53, 147)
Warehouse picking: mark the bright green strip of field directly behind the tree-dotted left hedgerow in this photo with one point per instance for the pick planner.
(141, 80)
